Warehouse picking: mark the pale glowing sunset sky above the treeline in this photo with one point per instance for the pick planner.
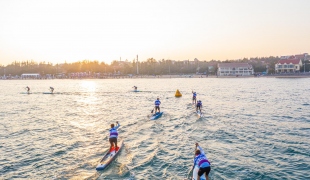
(59, 31)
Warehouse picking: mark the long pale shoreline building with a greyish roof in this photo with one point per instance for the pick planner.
(235, 69)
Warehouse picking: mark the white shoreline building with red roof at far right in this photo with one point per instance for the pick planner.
(288, 65)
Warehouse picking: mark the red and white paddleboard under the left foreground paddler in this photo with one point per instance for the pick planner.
(109, 157)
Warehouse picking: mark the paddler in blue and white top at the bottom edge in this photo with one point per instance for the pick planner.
(202, 162)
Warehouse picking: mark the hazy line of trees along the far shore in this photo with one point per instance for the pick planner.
(150, 66)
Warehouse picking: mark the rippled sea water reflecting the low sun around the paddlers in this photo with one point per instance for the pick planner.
(253, 128)
